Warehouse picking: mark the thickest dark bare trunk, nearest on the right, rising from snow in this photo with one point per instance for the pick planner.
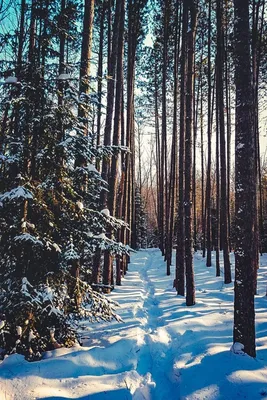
(245, 185)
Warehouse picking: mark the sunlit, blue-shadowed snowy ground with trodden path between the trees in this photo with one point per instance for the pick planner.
(163, 350)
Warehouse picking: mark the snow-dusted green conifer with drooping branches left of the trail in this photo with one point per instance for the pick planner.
(51, 221)
